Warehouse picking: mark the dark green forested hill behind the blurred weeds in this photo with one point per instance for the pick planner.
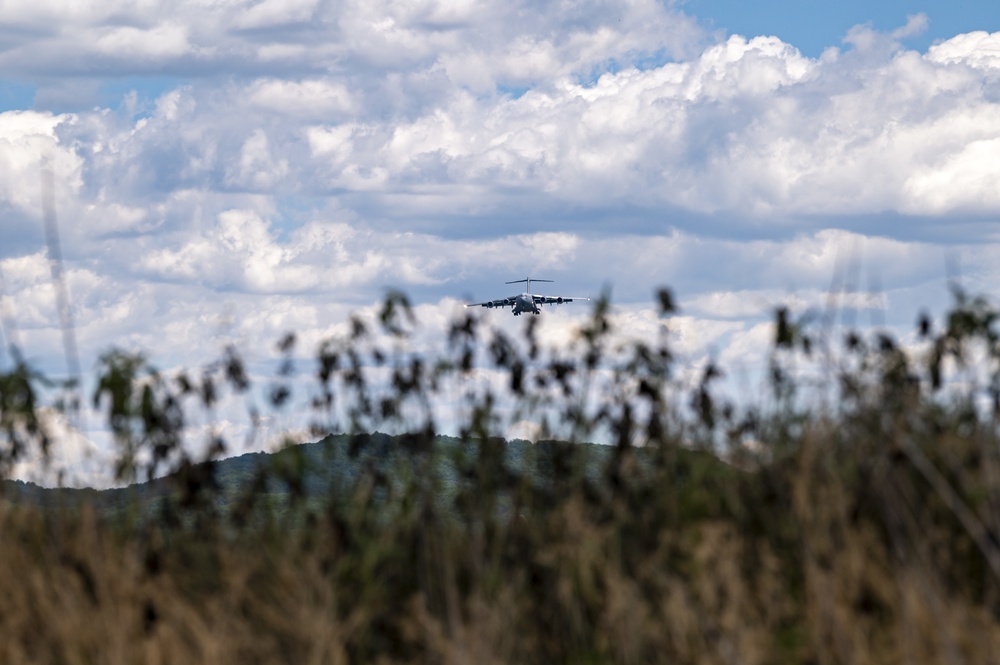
(328, 470)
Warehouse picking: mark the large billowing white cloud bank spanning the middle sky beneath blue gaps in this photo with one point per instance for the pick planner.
(748, 130)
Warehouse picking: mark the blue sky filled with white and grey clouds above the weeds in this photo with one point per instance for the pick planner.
(226, 171)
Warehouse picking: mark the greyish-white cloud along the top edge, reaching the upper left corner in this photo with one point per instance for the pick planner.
(475, 44)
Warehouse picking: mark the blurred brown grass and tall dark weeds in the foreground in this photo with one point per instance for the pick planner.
(863, 531)
